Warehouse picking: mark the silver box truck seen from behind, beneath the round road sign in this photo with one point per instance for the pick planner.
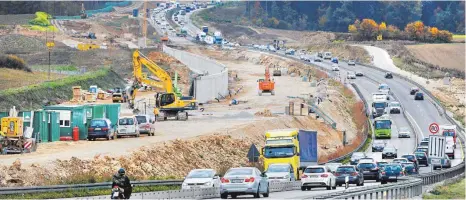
(436, 151)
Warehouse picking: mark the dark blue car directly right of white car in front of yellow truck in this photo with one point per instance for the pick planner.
(354, 176)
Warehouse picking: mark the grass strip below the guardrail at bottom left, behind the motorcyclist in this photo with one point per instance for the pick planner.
(84, 192)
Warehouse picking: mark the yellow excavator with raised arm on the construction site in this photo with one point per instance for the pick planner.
(167, 104)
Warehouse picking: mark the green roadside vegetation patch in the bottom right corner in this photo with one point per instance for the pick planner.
(451, 191)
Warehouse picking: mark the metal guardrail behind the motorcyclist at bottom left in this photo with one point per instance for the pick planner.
(55, 188)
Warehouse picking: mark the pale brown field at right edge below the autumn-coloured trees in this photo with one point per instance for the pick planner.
(443, 55)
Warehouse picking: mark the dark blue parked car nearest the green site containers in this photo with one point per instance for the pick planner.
(100, 128)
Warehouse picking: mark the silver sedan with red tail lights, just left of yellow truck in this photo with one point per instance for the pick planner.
(244, 181)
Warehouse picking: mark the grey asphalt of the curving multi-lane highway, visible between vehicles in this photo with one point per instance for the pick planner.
(418, 114)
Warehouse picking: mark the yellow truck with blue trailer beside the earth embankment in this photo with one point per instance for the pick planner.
(293, 146)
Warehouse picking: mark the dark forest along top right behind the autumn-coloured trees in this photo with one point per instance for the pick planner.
(337, 16)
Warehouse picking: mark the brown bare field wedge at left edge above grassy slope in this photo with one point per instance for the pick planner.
(10, 78)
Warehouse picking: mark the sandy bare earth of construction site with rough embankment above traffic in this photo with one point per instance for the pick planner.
(175, 149)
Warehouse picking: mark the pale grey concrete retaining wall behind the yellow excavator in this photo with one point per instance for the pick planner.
(211, 80)
